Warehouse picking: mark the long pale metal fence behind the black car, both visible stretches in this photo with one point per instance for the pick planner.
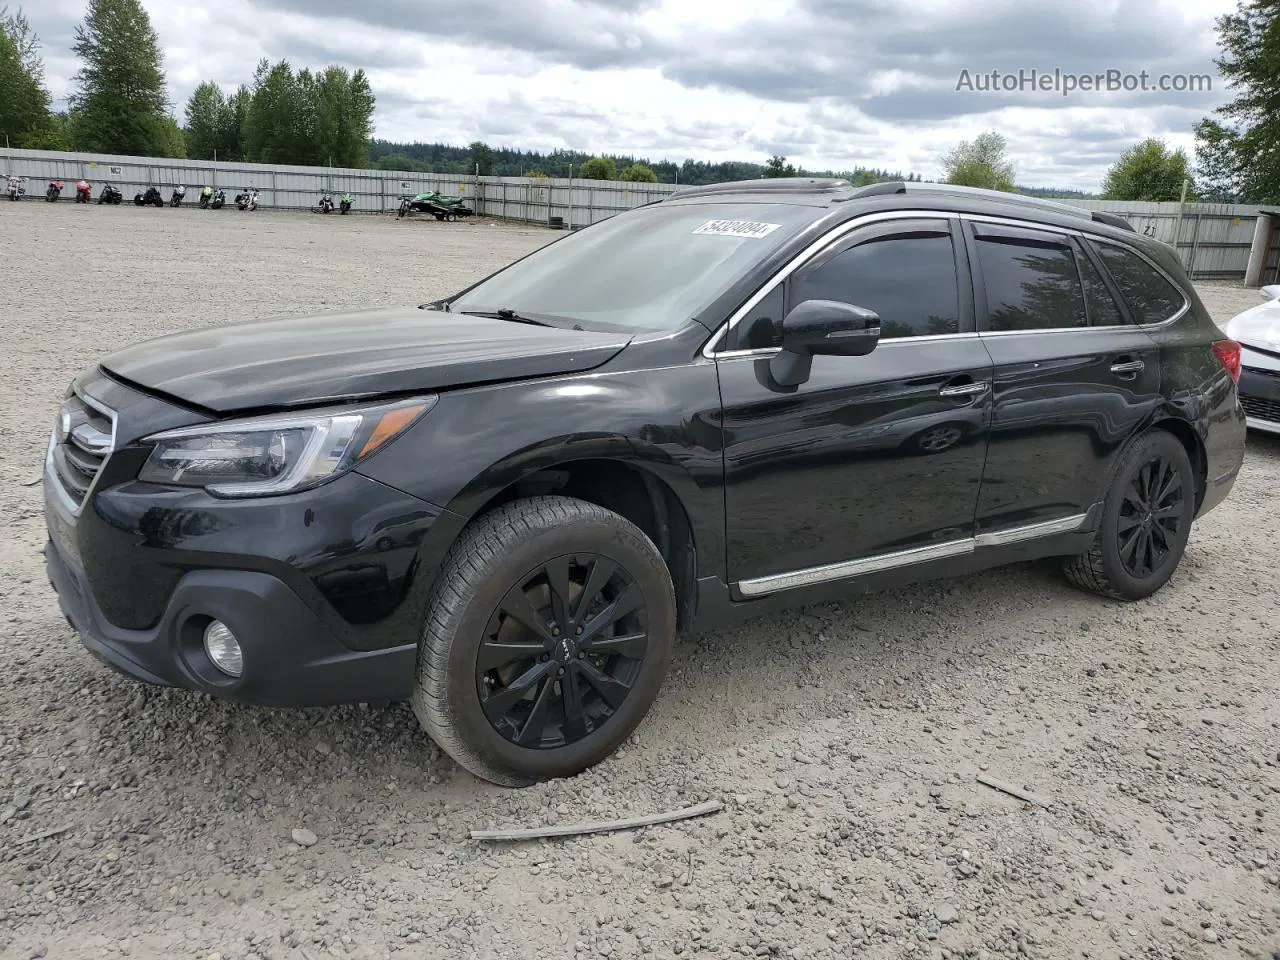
(1213, 240)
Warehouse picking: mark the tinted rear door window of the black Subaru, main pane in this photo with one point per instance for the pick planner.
(1031, 285)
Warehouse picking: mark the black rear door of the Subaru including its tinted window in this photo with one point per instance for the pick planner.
(1075, 377)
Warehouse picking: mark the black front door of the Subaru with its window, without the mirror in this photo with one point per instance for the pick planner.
(876, 458)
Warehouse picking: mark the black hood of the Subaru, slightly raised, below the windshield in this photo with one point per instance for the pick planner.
(312, 360)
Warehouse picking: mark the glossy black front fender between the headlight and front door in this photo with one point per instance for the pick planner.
(478, 442)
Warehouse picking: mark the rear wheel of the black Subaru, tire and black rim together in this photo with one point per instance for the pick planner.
(1110, 568)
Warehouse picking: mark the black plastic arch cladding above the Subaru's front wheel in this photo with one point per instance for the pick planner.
(630, 488)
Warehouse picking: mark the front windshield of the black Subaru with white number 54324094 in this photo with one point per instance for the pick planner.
(653, 268)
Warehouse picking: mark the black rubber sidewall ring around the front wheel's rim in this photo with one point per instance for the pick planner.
(463, 703)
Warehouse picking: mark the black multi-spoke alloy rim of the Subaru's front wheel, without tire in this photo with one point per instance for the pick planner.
(561, 653)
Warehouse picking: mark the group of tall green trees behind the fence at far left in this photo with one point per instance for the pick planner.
(121, 103)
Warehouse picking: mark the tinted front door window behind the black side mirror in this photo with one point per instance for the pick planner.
(906, 276)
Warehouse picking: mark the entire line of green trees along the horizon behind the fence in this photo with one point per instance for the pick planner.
(286, 116)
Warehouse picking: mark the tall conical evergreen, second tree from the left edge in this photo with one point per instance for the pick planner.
(121, 106)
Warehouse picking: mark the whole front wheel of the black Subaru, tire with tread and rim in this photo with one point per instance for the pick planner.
(491, 568)
